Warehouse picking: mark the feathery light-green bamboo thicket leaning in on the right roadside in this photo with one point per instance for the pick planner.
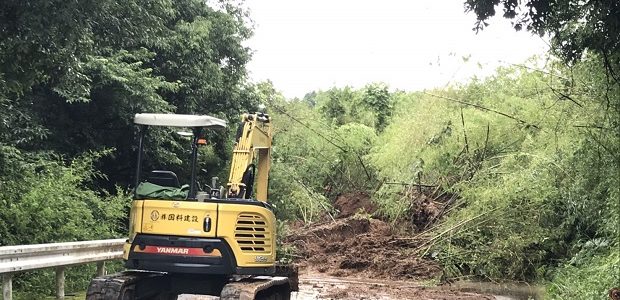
(537, 190)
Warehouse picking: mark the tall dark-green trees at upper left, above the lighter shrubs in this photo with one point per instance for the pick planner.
(71, 81)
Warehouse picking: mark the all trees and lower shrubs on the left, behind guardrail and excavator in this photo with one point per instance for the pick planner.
(72, 75)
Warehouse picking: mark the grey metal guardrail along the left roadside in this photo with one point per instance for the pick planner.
(15, 259)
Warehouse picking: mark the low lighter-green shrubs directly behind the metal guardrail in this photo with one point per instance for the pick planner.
(43, 200)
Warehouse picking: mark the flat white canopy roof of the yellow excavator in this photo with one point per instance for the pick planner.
(175, 120)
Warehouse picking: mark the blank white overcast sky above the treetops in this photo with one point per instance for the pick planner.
(410, 45)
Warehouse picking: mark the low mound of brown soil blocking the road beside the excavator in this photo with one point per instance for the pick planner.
(359, 246)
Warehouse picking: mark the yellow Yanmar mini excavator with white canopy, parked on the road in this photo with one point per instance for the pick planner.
(218, 241)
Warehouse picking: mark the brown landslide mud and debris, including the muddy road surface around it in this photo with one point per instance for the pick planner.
(369, 259)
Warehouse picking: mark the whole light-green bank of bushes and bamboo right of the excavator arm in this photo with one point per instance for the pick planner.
(519, 170)
